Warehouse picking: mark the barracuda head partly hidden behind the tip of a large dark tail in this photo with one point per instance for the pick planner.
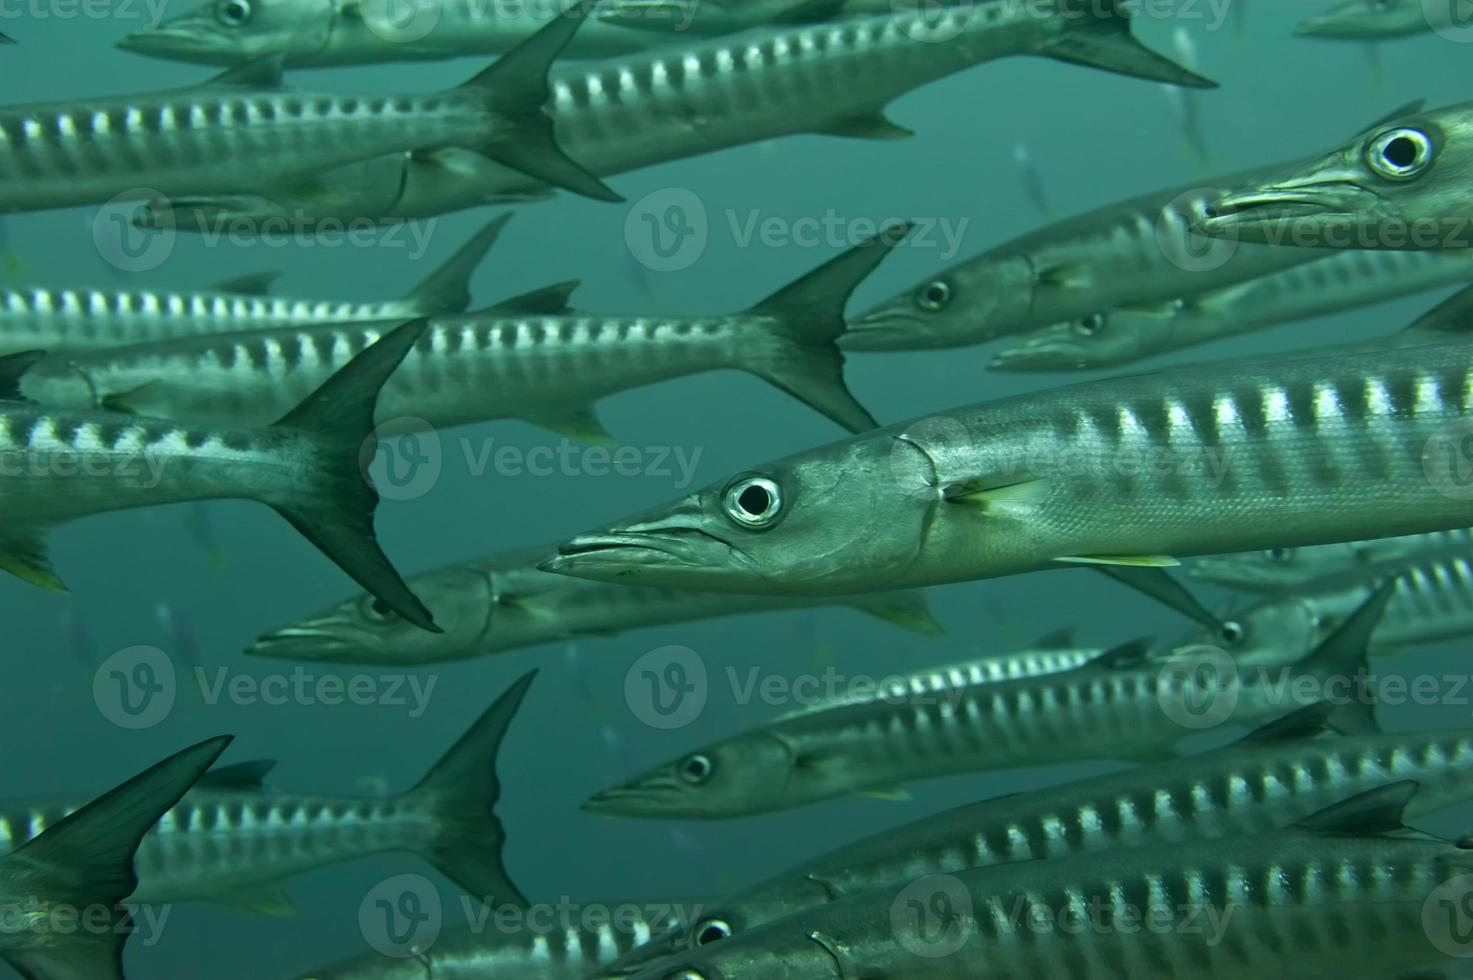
(365, 630)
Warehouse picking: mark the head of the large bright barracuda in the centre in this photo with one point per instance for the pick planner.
(848, 518)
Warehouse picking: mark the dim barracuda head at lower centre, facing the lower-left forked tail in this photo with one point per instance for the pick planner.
(745, 774)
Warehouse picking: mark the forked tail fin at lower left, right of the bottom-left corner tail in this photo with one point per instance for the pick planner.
(462, 791)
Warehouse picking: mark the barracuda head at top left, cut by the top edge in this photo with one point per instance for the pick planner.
(235, 32)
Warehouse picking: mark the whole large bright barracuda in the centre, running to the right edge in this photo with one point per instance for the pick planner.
(1128, 472)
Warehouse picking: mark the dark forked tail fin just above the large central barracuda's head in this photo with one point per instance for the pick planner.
(808, 321)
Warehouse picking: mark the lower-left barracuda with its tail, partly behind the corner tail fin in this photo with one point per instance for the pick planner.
(229, 841)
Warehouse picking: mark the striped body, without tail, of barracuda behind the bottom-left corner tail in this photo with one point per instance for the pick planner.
(238, 848)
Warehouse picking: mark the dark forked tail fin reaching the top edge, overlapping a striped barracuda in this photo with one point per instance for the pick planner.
(515, 91)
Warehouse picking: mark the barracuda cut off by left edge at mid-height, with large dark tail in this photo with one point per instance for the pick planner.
(57, 466)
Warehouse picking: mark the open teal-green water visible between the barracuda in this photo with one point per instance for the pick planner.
(203, 581)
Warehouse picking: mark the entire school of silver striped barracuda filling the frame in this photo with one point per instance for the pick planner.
(1321, 499)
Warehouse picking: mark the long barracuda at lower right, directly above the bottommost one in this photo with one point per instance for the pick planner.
(1273, 777)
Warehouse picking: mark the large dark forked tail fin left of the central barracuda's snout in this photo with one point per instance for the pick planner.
(337, 512)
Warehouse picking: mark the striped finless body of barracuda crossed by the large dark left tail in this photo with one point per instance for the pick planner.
(466, 368)
